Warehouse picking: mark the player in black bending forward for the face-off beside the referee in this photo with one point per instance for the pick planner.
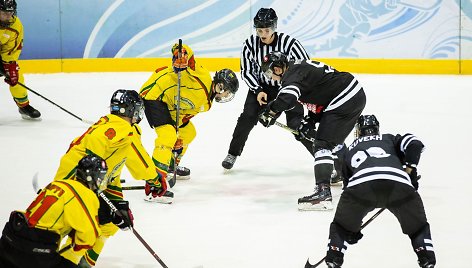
(334, 99)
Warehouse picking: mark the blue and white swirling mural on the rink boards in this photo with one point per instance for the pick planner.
(404, 29)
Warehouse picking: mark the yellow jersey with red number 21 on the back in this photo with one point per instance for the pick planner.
(67, 208)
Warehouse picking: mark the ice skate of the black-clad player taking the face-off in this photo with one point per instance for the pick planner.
(321, 199)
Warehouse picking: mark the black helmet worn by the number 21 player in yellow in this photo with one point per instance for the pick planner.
(91, 170)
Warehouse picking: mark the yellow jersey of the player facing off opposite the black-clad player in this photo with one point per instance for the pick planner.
(195, 91)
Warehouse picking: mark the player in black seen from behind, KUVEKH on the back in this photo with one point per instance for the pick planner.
(380, 172)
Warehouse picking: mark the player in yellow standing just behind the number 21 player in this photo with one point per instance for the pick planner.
(116, 138)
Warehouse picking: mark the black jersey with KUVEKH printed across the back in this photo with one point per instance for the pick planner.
(378, 157)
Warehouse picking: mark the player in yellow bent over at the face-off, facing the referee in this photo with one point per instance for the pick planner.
(197, 92)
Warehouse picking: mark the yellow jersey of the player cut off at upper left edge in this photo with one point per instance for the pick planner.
(11, 41)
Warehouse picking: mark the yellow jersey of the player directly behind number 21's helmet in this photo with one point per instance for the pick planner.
(119, 144)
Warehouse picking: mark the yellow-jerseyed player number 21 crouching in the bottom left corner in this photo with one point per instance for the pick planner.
(63, 208)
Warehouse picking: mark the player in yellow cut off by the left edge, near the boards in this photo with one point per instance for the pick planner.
(11, 44)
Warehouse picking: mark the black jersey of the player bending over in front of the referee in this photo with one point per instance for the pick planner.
(316, 85)
